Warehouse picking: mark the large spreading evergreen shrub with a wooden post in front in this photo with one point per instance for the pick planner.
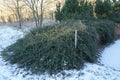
(52, 49)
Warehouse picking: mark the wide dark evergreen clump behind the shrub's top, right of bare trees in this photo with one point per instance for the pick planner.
(74, 9)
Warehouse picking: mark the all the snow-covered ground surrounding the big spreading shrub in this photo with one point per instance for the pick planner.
(108, 69)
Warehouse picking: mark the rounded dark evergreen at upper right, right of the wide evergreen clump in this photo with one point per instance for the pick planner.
(103, 9)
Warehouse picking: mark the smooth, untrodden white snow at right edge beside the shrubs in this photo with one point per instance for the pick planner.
(111, 56)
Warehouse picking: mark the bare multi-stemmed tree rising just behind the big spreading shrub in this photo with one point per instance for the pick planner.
(36, 7)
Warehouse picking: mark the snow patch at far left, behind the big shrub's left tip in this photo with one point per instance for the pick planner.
(8, 36)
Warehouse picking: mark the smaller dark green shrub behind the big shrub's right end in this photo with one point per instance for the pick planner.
(106, 31)
